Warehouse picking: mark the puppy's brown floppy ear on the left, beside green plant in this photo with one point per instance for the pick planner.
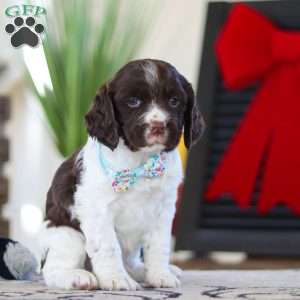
(100, 120)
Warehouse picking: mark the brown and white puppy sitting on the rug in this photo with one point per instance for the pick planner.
(115, 197)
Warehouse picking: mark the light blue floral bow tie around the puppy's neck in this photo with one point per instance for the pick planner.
(125, 179)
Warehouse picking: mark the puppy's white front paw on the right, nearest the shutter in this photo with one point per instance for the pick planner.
(161, 279)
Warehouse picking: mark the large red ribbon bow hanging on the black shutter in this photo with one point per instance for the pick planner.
(251, 48)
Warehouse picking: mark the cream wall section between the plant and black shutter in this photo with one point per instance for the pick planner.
(177, 35)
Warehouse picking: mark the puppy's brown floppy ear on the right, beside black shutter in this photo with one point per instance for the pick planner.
(194, 124)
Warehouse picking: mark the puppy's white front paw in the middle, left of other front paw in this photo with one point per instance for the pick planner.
(117, 281)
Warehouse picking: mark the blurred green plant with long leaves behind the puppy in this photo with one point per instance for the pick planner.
(82, 52)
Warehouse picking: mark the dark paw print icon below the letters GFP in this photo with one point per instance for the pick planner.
(24, 33)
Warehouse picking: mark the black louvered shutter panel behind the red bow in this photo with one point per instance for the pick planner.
(222, 225)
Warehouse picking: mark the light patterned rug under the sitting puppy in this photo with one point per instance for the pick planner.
(196, 285)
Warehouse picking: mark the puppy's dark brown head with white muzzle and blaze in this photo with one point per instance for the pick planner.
(147, 103)
